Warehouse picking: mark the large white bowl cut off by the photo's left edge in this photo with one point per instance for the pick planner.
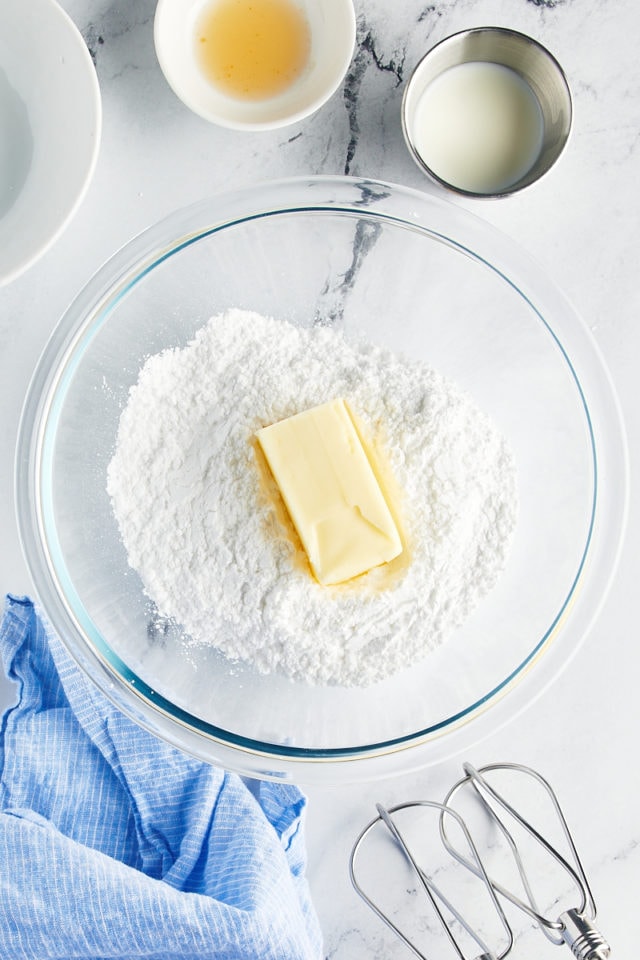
(50, 124)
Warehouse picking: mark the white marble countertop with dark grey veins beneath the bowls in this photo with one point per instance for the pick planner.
(580, 223)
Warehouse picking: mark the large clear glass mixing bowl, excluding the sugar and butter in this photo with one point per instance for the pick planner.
(414, 274)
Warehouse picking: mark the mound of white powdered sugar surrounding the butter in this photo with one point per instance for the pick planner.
(209, 543)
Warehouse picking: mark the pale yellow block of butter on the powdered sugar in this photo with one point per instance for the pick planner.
(331, 492)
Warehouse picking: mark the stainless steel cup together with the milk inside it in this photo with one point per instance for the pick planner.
(487, 112)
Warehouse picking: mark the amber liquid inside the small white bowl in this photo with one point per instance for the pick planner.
(252, 49)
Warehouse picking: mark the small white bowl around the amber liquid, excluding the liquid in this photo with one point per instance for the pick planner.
(332, 27)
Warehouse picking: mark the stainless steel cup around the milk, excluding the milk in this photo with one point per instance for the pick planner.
(524, 55)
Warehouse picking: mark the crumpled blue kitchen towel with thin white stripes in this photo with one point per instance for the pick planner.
(114, 844)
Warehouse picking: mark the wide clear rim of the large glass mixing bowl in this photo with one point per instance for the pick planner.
(269, 760)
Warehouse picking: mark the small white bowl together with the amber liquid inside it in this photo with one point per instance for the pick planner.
(254, 64)
